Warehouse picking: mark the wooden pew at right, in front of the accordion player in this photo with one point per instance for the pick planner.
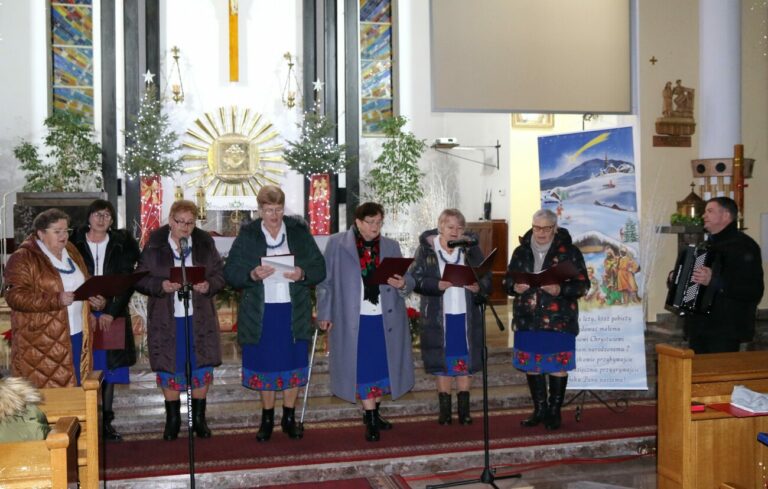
(712, 448)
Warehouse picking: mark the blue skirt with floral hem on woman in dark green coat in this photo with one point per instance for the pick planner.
(277, 362)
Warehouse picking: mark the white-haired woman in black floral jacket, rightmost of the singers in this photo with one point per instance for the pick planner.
(546, 318)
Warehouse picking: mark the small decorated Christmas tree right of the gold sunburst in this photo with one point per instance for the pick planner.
(316, 150)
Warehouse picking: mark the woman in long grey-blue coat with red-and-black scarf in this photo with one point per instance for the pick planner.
(370, 340)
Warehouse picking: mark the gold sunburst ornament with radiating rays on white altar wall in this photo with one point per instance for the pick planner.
(236, 150)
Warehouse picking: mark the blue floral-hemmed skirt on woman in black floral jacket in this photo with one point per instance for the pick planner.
(544, 351)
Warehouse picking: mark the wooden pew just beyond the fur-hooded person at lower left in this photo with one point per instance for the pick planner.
(83, 403)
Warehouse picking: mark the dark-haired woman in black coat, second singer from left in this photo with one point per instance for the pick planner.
(106, 251)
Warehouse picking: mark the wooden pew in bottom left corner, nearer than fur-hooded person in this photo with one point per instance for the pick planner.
(45, 463)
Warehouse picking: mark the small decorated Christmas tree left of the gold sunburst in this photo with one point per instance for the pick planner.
(151, 146)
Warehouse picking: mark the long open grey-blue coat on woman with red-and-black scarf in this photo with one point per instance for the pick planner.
(338, 301)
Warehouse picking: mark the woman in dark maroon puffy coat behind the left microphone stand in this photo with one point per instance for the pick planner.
(166, 335)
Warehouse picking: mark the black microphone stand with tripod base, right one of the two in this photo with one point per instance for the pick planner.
(488, 476)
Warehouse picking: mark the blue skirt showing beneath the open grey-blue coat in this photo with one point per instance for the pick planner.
(372, 368)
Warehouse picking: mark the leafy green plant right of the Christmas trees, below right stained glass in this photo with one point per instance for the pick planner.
(395, 180)
